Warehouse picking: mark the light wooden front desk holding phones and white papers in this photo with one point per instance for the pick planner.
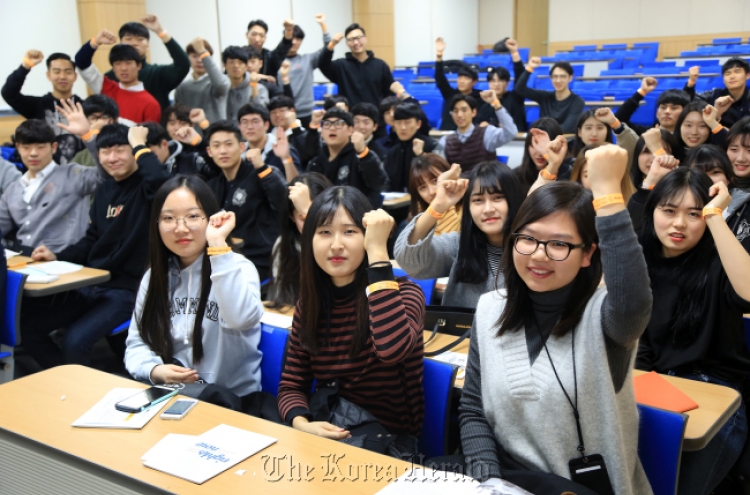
(39, 448)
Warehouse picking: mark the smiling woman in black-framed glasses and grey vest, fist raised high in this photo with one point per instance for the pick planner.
(553, 346)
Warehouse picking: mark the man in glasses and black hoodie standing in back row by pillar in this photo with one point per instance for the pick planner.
(360, 76)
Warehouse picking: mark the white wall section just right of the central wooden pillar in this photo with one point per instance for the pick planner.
(417, 23)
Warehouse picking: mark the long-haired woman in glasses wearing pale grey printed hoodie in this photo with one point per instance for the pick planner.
(198, 311)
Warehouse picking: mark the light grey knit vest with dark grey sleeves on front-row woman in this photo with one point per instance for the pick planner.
(520, 405)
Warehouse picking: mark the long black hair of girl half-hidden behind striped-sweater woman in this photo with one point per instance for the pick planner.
(285, 286)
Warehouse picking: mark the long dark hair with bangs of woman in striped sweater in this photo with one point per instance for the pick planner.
(316, 286)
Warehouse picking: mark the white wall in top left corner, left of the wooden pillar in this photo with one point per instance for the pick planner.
(46, 34)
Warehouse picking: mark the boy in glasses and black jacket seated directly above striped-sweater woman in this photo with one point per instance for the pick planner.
(346, 160)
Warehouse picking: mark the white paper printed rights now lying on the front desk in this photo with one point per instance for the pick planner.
(210, 454)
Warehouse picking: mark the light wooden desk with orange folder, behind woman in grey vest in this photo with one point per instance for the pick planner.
(716, 404)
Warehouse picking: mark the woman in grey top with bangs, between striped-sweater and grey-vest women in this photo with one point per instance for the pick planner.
(470, 259)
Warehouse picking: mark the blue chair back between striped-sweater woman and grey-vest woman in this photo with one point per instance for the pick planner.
(437, 383)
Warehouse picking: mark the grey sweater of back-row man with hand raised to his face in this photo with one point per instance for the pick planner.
(208, 92)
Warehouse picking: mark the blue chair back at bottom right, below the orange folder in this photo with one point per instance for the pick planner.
(660, 447)
